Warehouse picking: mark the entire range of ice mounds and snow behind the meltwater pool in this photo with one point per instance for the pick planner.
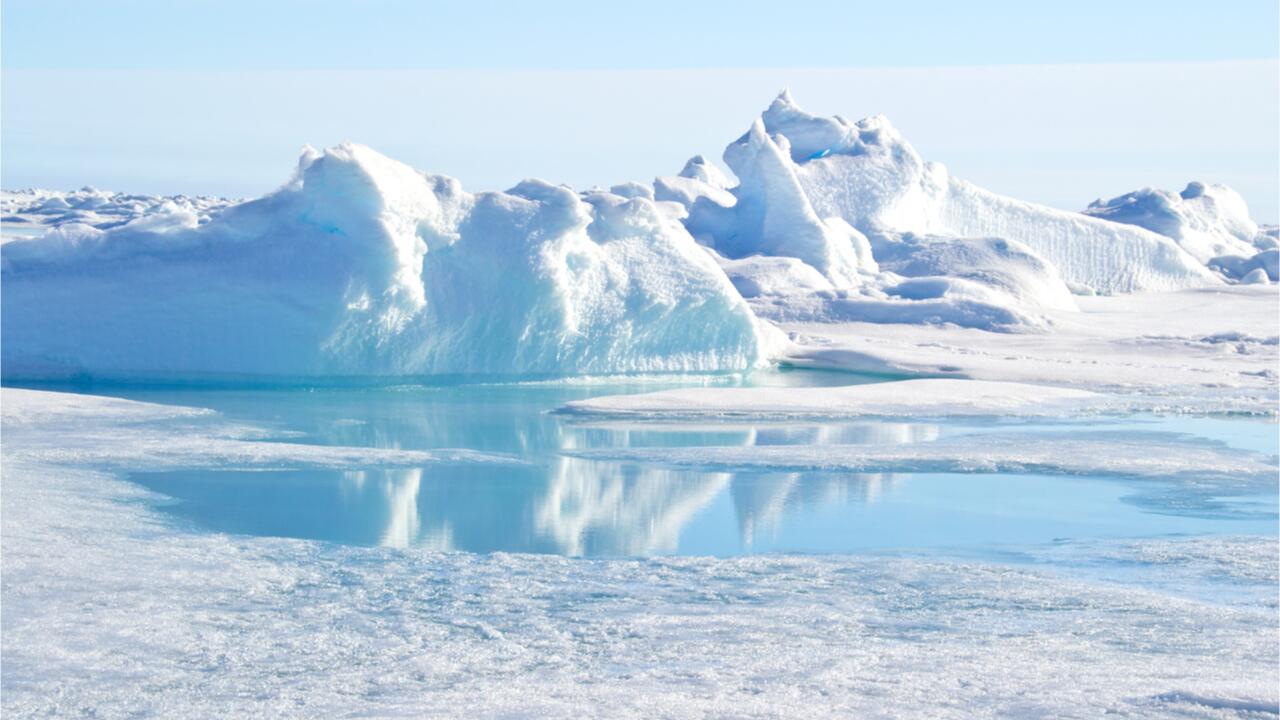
(836, 233)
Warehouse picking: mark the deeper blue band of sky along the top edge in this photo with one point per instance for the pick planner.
(655, 34)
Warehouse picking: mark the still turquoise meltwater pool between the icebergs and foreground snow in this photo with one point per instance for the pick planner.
(557, 504)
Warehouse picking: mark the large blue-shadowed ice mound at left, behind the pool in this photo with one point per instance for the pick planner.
(362, 266)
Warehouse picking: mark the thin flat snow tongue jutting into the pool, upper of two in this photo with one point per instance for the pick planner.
(932, 398)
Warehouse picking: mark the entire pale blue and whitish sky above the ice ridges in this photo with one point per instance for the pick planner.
(1055, 103)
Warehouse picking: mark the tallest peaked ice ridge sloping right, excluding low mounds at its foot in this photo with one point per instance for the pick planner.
(817, 188)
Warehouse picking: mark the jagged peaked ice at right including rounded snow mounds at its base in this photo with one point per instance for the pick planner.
(899, 240)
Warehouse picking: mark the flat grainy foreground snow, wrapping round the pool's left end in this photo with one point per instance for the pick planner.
(113, 613)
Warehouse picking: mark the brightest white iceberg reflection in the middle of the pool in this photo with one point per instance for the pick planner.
(601, 508)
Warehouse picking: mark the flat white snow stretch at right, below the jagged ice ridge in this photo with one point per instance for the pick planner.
(1192, 352)
